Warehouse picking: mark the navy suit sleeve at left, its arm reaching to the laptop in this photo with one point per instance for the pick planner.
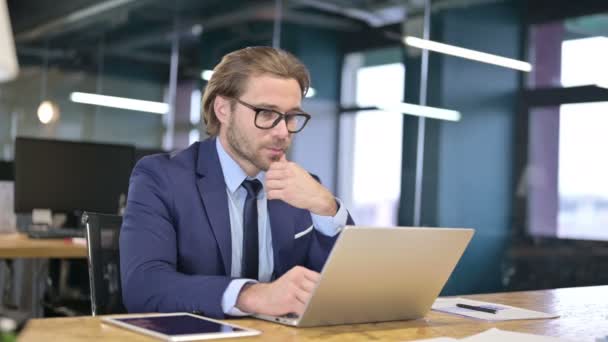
(148, 251)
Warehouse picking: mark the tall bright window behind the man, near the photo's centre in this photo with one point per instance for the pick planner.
(371, 142)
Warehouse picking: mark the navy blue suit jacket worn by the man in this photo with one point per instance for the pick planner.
(175, 242)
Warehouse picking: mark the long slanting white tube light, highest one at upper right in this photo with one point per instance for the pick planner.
(468, 54)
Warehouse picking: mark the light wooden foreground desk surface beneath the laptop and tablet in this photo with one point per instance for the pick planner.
(584, 316)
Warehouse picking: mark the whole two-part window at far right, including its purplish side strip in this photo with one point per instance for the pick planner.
(568, 164)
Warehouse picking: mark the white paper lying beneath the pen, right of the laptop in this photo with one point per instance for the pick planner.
(503, 312)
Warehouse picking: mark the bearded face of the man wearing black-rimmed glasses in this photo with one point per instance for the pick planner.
(254, 148)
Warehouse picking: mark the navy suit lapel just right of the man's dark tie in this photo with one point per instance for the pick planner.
(281, 224)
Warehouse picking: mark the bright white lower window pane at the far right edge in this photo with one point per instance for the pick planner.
(583, 171)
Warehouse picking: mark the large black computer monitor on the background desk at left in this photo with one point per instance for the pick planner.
(68, 177)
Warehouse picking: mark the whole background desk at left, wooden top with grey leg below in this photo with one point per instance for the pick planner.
(29, 277)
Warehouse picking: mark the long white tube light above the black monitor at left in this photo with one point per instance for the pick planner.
(120, 102)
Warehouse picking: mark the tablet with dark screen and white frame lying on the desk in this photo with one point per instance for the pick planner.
(179, 325)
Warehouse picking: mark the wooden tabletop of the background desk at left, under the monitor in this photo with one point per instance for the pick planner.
(17, 245)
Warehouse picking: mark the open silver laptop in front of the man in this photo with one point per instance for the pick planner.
(381, 274)
